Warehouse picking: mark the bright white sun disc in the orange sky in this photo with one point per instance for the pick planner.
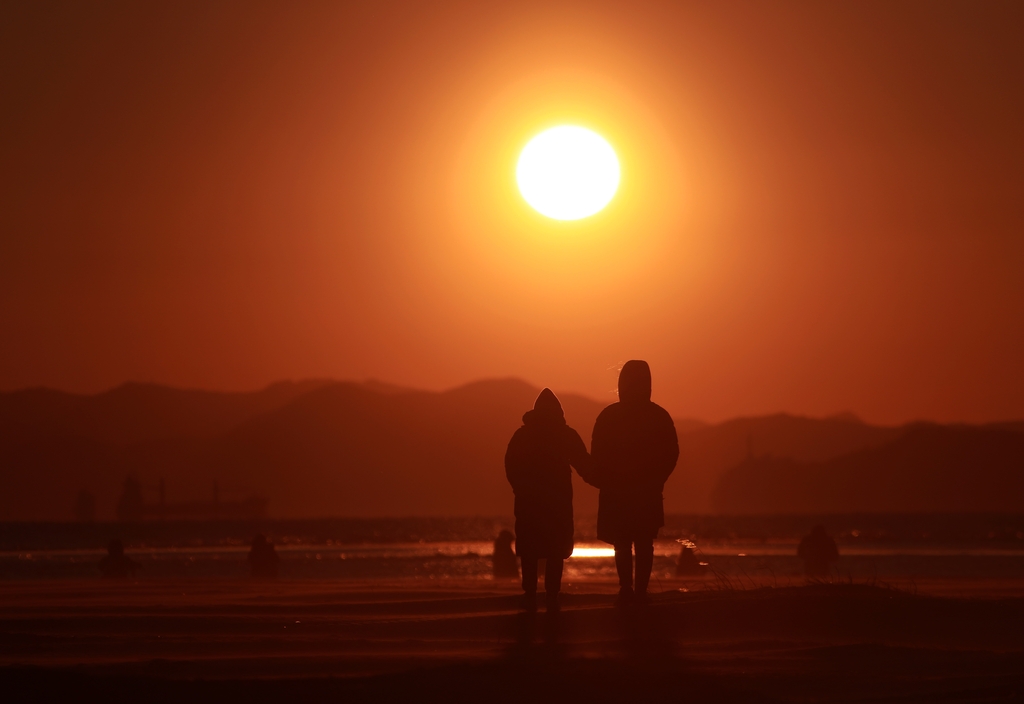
(568, 173)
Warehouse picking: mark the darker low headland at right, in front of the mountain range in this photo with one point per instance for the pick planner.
(929, 468)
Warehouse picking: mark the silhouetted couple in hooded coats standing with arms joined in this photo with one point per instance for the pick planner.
(633, 452)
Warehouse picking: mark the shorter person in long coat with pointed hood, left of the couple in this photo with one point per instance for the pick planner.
(538, 466)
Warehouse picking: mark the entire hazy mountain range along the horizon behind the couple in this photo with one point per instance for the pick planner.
(365, 450)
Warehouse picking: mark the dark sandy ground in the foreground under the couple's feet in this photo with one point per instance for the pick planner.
(193, 641)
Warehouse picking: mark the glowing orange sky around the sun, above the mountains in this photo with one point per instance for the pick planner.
(822, 203)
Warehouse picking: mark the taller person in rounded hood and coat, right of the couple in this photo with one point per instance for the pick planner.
(634, 451)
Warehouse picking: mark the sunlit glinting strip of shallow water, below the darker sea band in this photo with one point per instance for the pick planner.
(473, 560)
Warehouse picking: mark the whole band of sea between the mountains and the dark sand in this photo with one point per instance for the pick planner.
(759, 550)
